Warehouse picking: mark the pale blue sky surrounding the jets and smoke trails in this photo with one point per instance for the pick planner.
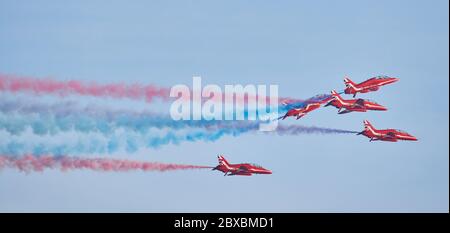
(305, 47)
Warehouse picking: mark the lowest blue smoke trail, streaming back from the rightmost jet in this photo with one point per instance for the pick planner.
(76, 144)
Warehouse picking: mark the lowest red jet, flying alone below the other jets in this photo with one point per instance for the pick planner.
(241, 169)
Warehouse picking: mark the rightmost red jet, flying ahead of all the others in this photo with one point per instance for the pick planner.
(390, 135)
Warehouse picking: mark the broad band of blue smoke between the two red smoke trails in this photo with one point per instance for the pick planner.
(102, 130)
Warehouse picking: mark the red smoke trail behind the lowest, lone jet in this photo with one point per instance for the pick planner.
(29, 163)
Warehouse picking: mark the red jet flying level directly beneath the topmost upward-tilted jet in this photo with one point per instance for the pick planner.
(356, 105)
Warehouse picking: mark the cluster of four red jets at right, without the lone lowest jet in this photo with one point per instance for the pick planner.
(356, 105)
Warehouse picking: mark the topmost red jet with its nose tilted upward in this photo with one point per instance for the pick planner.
(369, 85)
